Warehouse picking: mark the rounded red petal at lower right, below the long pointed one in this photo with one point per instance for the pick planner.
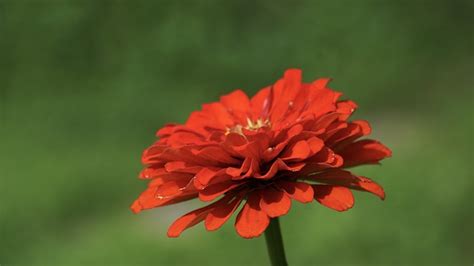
(334, 197)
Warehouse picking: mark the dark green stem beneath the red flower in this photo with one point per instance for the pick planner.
(275, 243)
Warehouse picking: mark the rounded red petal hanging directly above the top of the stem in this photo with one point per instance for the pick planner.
(275, 202)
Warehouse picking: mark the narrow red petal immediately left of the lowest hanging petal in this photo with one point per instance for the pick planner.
(222, 212)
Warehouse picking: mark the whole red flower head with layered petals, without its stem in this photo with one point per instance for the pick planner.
(289, 142)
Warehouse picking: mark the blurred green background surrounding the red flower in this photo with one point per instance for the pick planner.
(84, 85)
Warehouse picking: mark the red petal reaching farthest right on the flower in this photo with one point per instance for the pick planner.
(364, 152)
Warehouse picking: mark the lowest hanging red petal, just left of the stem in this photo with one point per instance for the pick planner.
(251, 221)
